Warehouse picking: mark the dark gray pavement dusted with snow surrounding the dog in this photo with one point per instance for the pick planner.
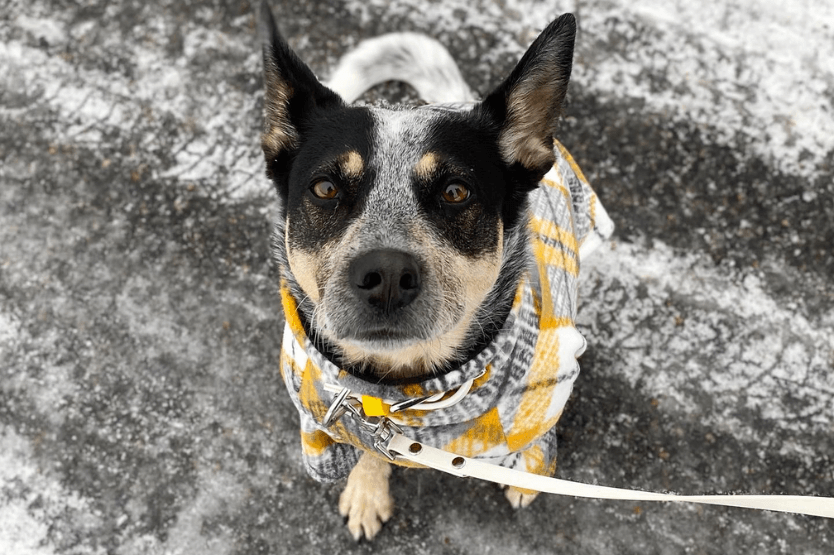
(141, 411)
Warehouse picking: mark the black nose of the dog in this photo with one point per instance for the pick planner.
(385, 279)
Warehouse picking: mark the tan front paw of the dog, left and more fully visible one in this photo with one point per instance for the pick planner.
(366, 501)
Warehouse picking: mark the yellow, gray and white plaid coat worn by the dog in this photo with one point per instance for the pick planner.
(526, 373)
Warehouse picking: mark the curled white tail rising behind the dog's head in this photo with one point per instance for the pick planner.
(416, 59)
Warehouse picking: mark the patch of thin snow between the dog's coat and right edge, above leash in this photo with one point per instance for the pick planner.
(684, 328)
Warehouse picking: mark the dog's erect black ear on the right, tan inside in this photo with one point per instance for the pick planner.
(528, 104)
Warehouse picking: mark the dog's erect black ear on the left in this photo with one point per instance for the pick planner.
(292, 95)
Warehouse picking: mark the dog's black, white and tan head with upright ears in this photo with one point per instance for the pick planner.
(403, 232)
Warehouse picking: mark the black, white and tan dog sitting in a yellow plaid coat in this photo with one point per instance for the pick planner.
(429, 256)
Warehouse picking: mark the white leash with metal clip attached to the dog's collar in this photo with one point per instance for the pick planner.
(389, 440)
